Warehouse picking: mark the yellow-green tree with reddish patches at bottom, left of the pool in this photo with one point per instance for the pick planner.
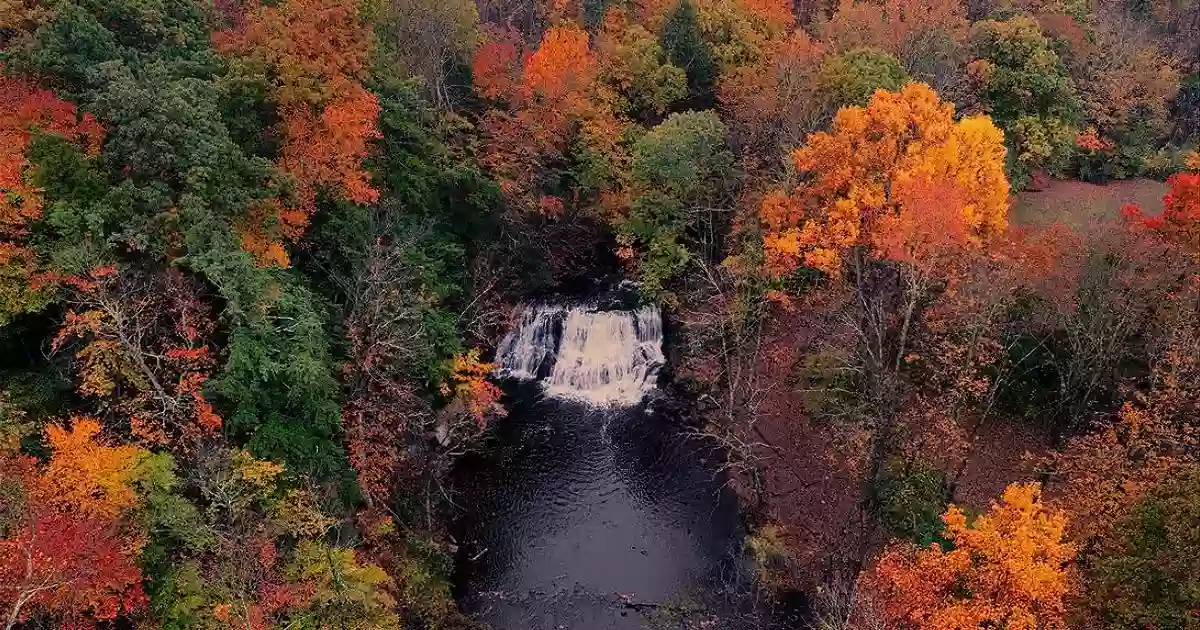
(248, 554)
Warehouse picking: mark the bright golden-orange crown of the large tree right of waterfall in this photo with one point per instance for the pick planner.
(898, 163)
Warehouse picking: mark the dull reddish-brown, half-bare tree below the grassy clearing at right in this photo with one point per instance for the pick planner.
(1109, 292)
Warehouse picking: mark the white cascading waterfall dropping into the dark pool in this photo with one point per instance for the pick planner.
(585, 353)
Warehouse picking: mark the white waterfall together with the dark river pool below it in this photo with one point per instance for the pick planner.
(595, 506)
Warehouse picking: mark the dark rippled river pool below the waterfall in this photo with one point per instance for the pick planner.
(586, 519)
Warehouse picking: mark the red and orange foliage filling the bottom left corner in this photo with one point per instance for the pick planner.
(70, 553)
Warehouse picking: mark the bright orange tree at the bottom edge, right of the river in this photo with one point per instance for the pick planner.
(1007, 569)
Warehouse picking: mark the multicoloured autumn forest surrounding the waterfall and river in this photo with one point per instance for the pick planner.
(256, 257)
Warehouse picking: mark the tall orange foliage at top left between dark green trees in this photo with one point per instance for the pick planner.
(316, 55)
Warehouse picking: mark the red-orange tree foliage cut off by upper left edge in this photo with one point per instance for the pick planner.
(26, 110)
